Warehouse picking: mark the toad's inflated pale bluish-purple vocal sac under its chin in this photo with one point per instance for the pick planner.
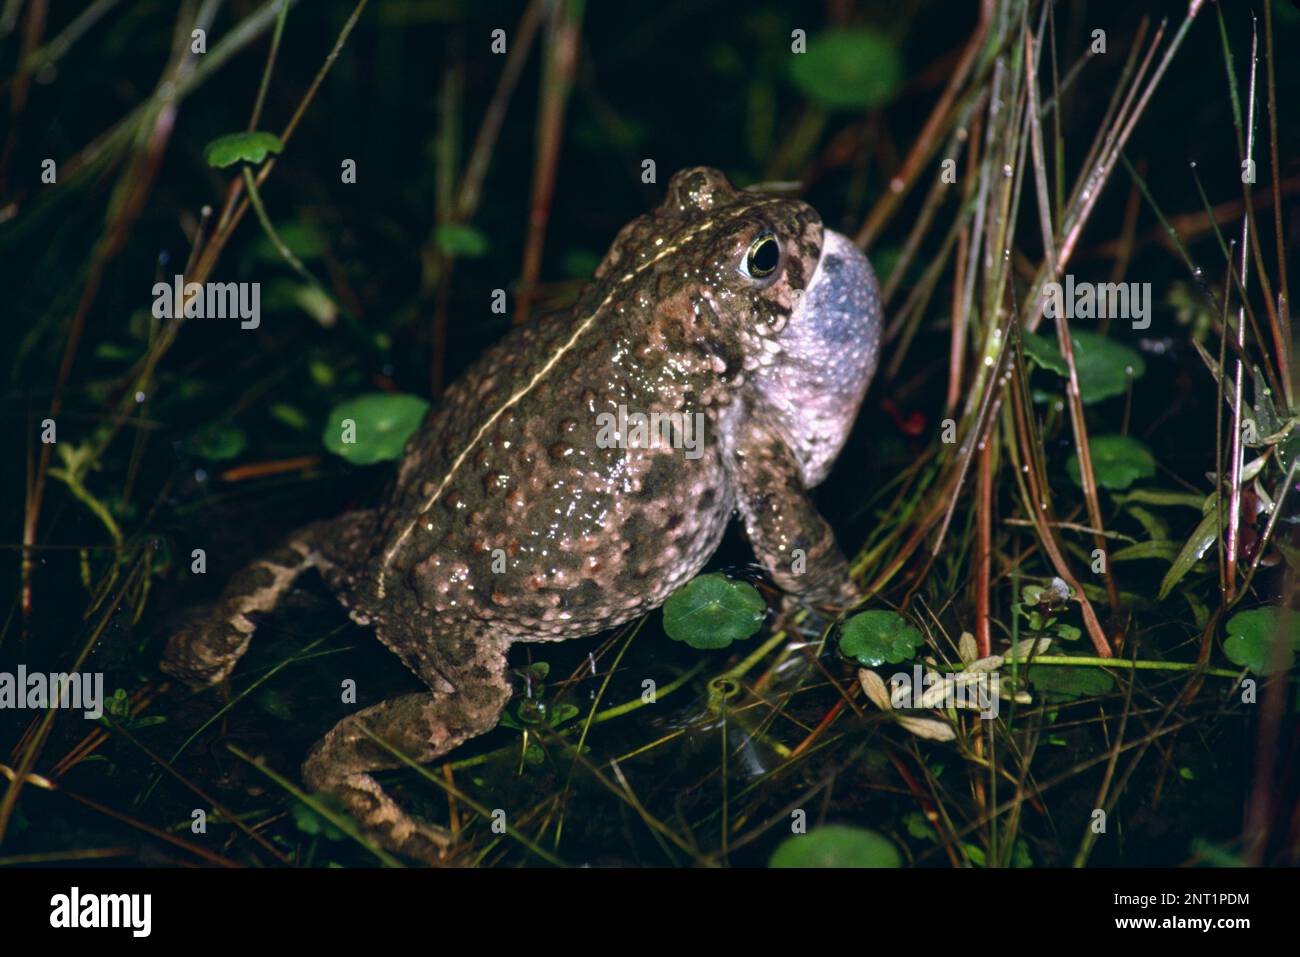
(829, 356)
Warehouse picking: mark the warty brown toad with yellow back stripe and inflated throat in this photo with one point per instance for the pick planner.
(534, 505)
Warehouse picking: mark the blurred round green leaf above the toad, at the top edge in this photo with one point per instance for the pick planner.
(848, 70)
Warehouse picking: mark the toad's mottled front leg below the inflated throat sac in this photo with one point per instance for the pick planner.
(790, 538)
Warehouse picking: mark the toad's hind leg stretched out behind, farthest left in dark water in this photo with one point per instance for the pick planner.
(207, 649)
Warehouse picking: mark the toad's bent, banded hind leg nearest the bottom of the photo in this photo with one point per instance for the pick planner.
(422, 728)
